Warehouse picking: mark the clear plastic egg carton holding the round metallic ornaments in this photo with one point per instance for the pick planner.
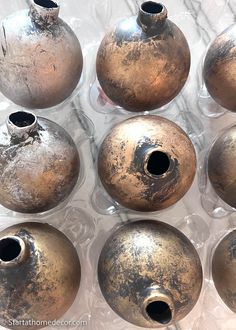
(89, 215)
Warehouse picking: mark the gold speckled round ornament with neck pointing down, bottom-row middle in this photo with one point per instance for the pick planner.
(150, 274)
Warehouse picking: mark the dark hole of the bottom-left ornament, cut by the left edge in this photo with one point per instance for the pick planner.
(9, 249)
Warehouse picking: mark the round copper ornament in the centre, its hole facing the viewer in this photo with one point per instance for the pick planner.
(146, 163)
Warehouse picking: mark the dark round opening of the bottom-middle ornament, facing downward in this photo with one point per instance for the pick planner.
(159, 311)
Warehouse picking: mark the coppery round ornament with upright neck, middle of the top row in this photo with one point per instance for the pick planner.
(144, 62)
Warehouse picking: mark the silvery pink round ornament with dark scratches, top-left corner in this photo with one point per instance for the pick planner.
(40, 59)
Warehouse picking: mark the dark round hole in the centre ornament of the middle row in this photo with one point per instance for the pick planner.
(158, 163)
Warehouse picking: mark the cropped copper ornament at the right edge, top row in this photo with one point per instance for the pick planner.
(219, 70)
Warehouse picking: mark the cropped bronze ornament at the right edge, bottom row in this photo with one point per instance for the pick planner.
(224, 270)
